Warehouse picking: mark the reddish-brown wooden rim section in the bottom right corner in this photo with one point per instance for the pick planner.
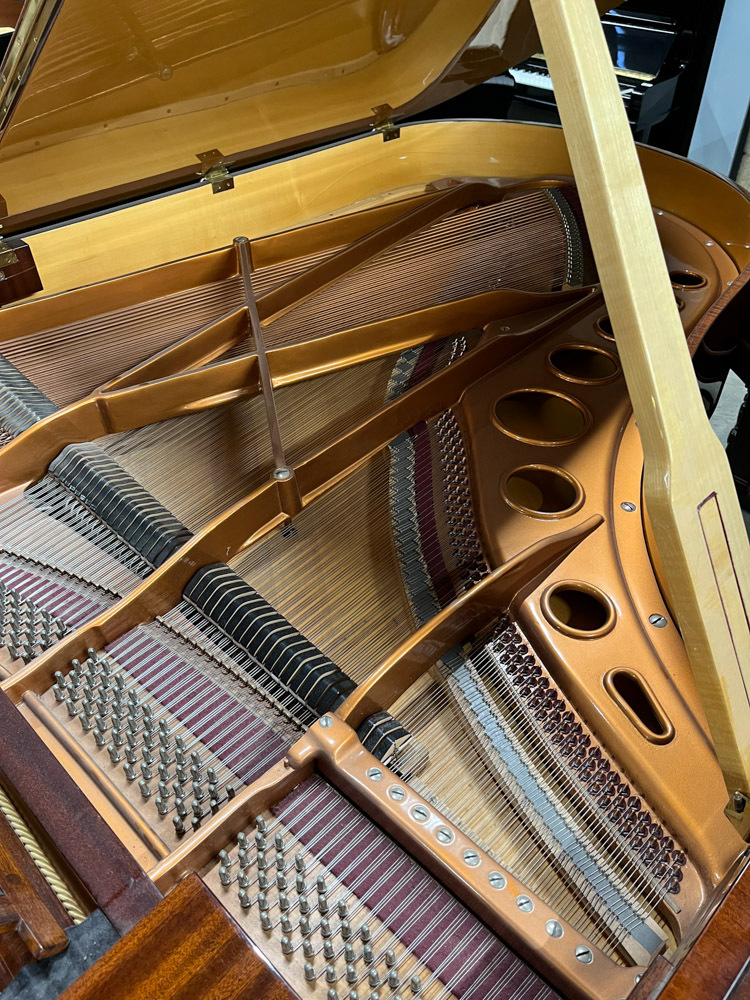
(716, 967)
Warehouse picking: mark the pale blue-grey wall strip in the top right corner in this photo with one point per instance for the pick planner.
(727, 94)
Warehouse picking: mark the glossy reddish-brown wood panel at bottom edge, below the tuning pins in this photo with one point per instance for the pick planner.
(187, 948)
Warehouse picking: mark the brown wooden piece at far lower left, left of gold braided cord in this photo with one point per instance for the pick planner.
(32, 921)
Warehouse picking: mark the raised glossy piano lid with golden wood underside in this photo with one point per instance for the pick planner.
(103, 100)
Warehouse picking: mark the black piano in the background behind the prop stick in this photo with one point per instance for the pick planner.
(661, 51)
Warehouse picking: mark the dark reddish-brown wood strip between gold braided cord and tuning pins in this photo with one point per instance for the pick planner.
(46, 793)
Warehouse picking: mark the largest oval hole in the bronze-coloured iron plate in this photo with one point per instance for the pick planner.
(539, 416)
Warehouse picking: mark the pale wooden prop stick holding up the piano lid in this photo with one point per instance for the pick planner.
(688, 487)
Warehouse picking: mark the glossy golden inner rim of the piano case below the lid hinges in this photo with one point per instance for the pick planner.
(339, 179)
